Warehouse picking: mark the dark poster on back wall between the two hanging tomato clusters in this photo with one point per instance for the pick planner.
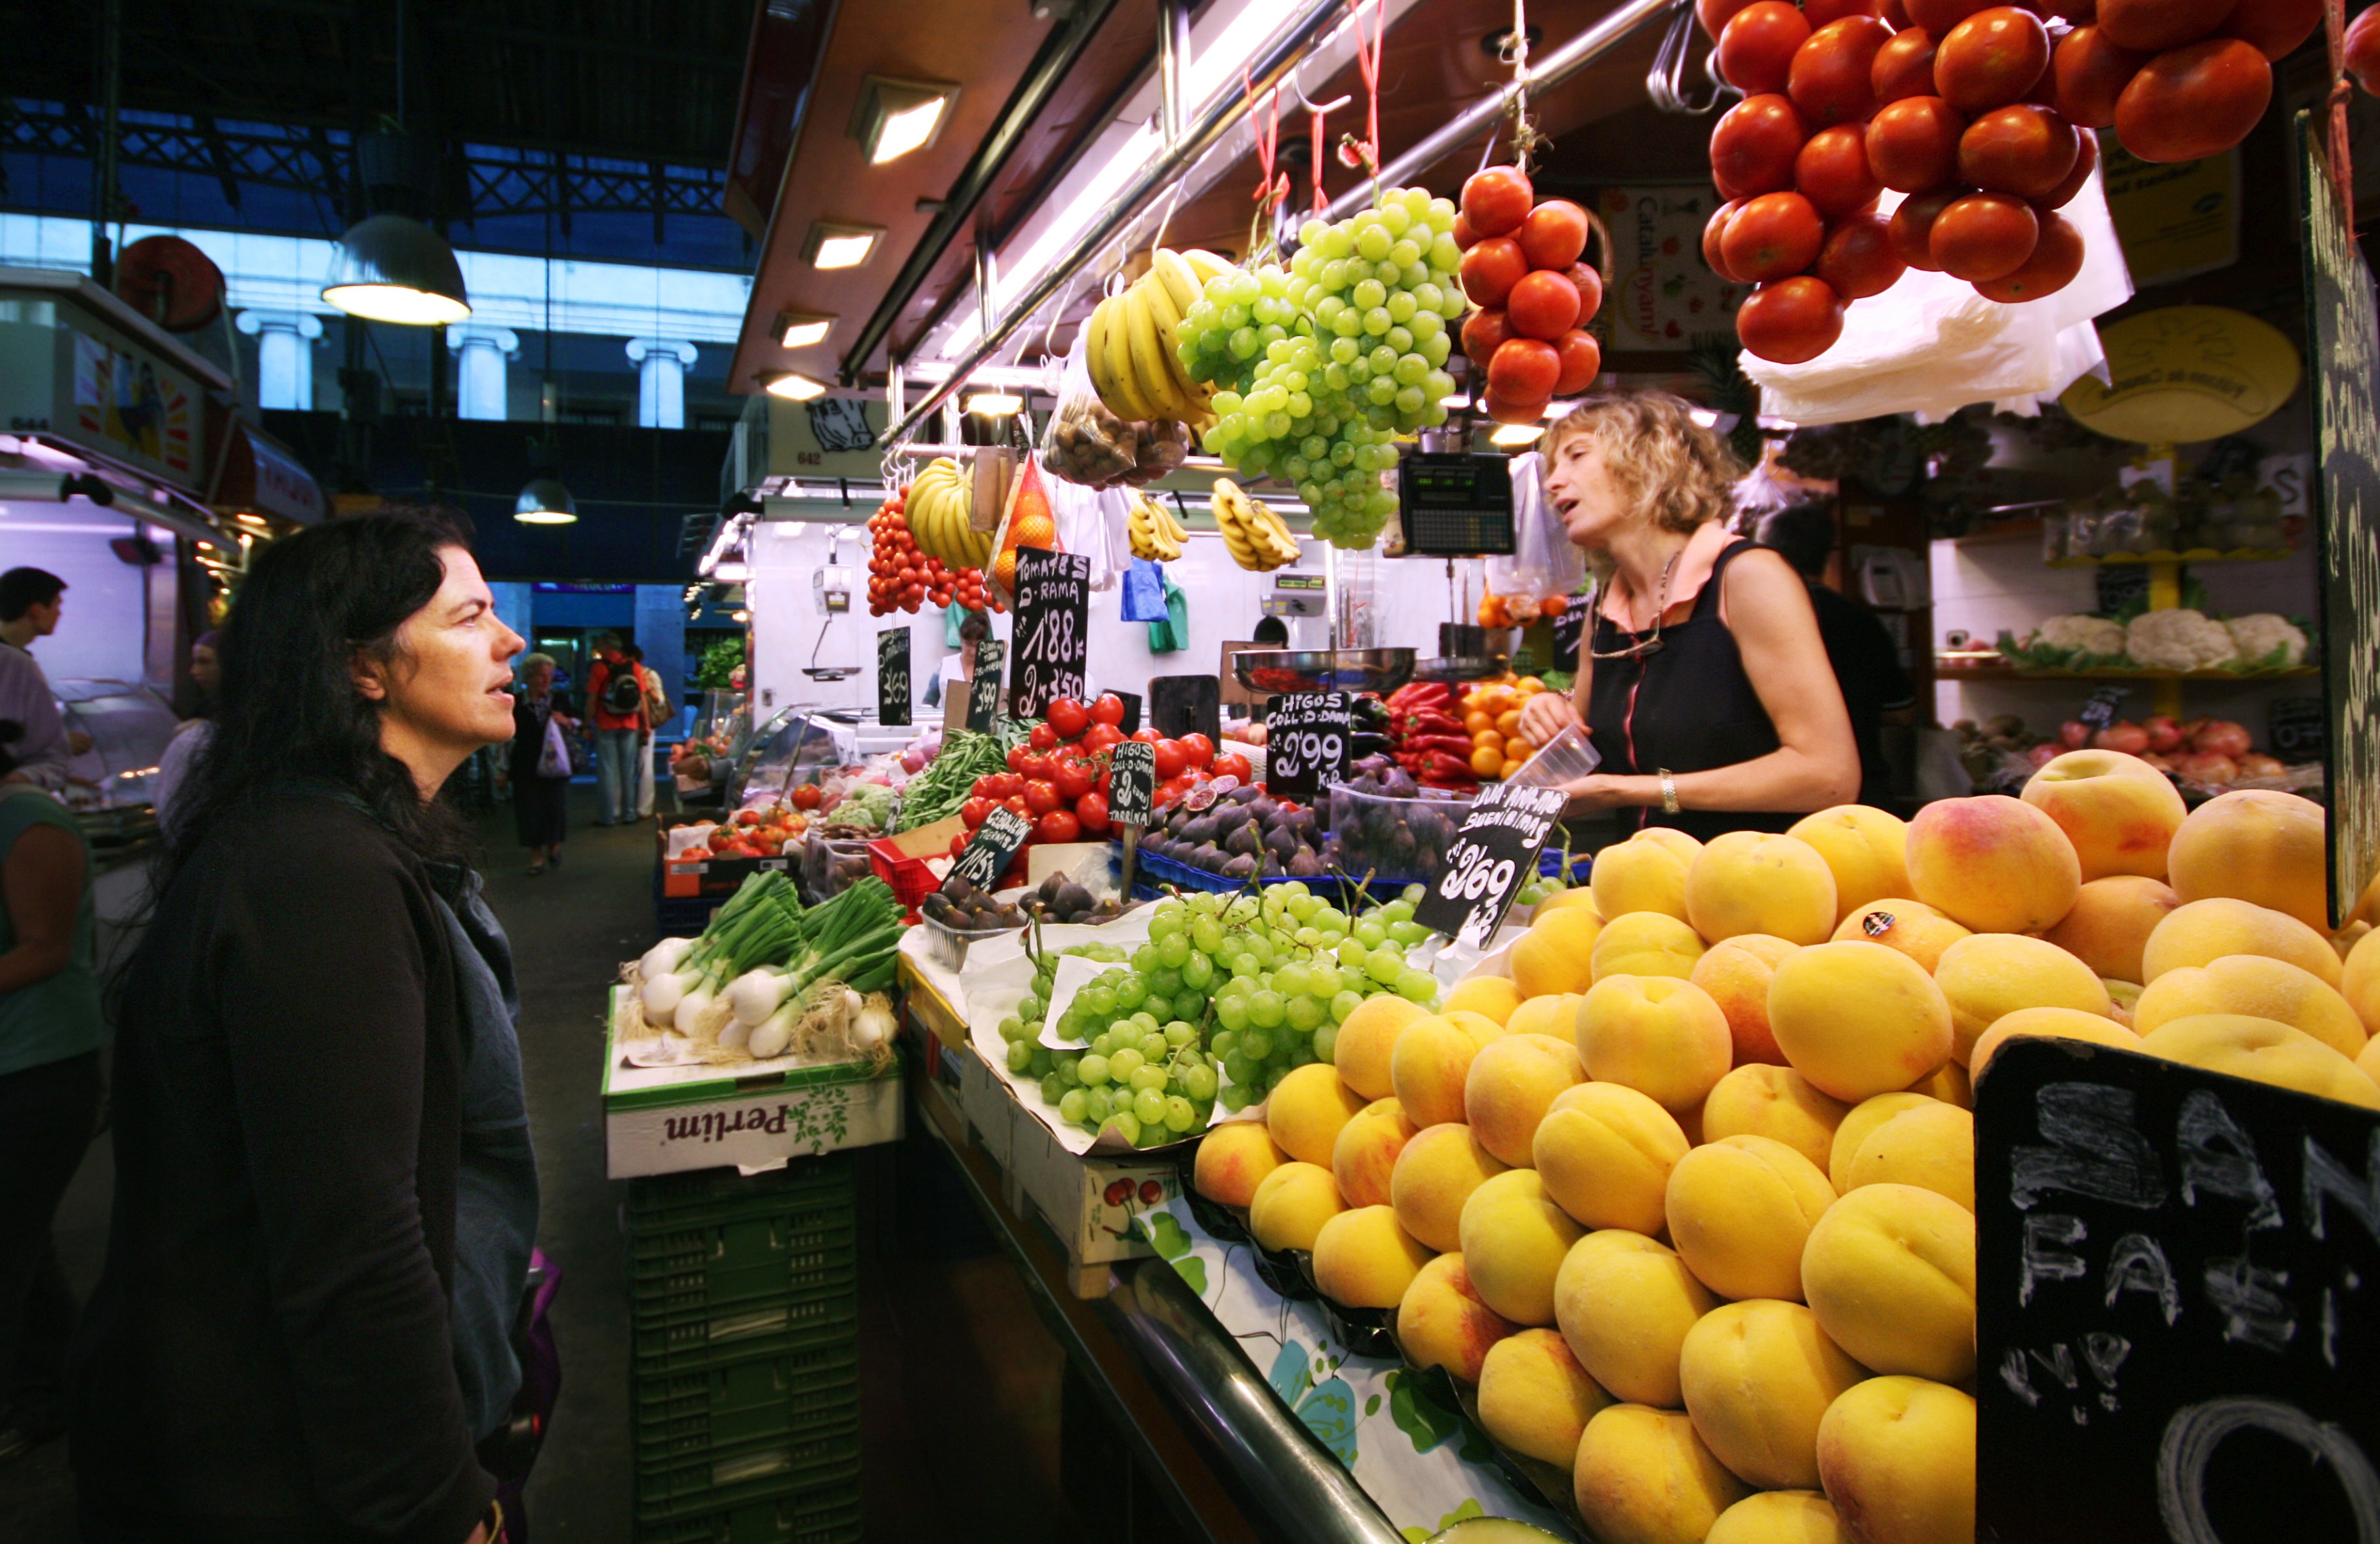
(1662, 296)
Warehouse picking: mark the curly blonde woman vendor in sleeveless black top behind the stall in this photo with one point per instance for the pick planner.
(1705, 682)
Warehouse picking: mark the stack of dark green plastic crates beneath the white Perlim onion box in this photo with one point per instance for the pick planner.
(746, 1310)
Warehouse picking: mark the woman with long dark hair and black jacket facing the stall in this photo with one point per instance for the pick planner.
(325, 1191)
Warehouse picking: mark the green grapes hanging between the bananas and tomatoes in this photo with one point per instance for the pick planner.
(1322, 365)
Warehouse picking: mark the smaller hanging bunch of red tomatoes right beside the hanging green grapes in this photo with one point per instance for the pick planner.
(1536, 299)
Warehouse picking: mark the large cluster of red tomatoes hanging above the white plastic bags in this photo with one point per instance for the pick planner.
(1977, 113)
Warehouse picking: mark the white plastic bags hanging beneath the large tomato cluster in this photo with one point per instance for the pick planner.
(1934, 346)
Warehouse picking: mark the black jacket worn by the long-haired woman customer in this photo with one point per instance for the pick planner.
(268, 1355)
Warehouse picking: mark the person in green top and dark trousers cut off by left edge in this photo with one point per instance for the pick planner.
(49, 1088)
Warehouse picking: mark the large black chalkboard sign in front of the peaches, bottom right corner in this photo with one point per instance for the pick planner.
(2177, 1319)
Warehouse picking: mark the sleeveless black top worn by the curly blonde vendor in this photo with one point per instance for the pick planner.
(1689, 708)
